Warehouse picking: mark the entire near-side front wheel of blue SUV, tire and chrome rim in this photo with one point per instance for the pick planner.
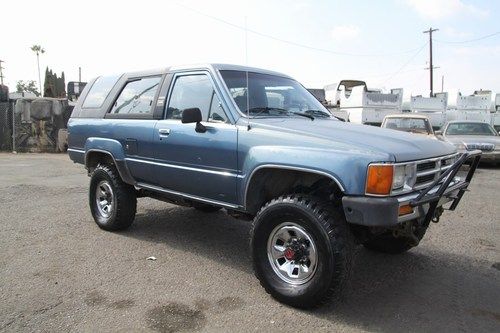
(302, 250)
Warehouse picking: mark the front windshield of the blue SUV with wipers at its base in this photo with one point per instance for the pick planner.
(271, 95)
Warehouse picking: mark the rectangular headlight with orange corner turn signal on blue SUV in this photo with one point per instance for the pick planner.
(384, 178)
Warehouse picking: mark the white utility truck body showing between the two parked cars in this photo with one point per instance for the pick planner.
(434, 108)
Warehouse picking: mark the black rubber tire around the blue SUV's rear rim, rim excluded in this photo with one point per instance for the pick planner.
(124, 203)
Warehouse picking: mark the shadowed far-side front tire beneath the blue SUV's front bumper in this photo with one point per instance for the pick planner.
(387, 243)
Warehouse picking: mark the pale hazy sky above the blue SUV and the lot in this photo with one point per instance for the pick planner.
(317, 42)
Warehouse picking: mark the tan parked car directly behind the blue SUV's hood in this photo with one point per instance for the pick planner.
(411, 123)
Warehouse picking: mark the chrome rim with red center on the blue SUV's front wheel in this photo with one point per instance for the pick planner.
(292, 253)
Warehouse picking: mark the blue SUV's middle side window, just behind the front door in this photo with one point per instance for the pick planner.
(136, 97)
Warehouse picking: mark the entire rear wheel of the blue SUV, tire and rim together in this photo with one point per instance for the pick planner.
(112, 202)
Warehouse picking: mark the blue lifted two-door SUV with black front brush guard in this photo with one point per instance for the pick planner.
(257, 144)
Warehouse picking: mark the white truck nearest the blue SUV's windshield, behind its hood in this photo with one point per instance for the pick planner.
(356, 103)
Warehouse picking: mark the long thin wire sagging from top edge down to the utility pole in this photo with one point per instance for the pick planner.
(289, 42)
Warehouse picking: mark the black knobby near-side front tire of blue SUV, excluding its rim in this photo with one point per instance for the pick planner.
(331, 235)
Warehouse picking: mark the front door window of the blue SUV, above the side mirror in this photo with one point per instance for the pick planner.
(190, 91)
